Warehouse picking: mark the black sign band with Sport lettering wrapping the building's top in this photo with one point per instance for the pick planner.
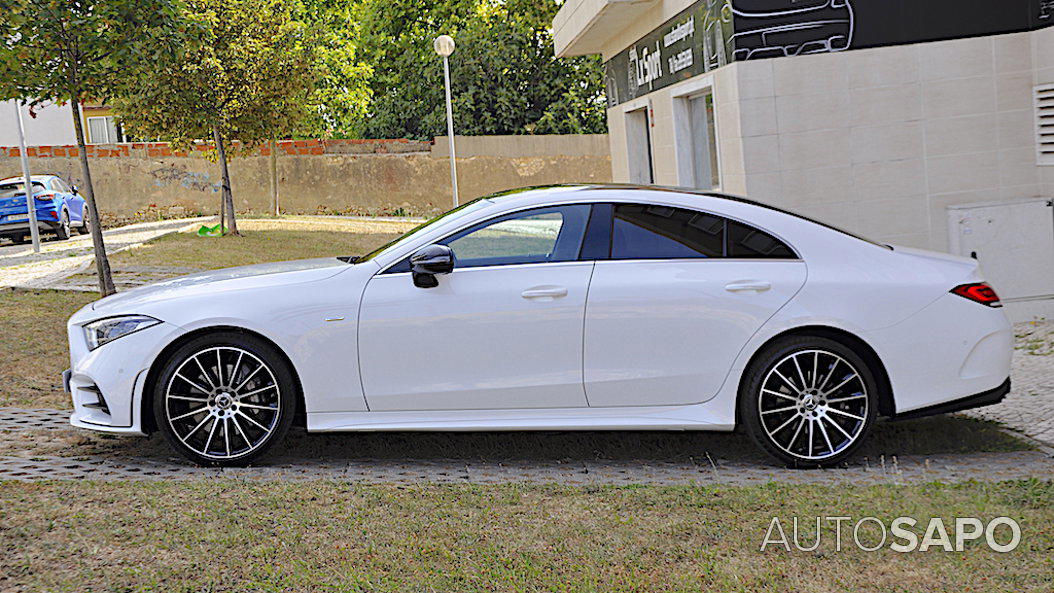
(712, 33)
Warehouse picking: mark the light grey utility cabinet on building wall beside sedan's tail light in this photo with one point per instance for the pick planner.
(1014, 244)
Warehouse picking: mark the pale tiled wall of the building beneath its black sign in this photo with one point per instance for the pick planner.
(879, 142)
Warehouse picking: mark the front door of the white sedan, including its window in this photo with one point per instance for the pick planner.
(502, 331)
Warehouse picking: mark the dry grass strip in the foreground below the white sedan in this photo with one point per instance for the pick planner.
(227, 536)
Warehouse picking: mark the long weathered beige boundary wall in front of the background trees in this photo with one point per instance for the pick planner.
(324, 176)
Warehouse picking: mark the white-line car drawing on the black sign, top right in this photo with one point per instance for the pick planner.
(767, 29)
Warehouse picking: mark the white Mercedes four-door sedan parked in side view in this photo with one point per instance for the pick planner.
(561, 308)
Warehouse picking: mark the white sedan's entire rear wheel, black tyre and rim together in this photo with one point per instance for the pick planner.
(783, 397)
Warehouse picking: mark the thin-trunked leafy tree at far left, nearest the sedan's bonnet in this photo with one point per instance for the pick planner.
(71, 51)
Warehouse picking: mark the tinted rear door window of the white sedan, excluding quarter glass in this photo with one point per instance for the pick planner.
(654, 232)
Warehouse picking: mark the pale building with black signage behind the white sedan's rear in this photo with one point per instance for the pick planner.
(872, 115)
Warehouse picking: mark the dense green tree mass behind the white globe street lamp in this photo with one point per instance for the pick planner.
(504, 75)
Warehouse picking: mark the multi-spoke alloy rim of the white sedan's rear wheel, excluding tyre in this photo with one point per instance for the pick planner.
(813, 405)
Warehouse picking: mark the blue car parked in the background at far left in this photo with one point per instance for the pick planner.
(61, 209)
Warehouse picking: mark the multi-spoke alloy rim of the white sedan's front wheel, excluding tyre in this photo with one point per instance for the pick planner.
(223, 403)
